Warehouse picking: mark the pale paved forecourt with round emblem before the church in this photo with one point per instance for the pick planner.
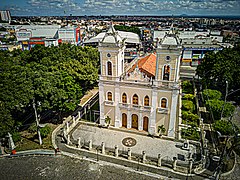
(111, 137)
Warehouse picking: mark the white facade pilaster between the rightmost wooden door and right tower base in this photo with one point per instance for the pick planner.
(152, 118)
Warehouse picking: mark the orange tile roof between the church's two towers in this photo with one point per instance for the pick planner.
(146, 65)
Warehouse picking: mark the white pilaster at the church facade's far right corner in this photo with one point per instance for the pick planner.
(173, 114)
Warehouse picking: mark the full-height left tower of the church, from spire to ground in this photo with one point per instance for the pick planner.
(111, 50)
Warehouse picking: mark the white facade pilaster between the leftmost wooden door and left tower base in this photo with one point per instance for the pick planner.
(117, 120)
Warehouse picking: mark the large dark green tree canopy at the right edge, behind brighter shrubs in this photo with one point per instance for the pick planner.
(217, 68)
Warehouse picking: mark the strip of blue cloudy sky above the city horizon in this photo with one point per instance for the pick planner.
(121, 7)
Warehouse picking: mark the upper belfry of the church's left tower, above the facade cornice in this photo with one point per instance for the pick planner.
(111, 50)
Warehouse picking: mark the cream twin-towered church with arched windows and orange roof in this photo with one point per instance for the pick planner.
(145, 95)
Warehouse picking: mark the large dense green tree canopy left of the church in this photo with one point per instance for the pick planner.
(55, 77)
